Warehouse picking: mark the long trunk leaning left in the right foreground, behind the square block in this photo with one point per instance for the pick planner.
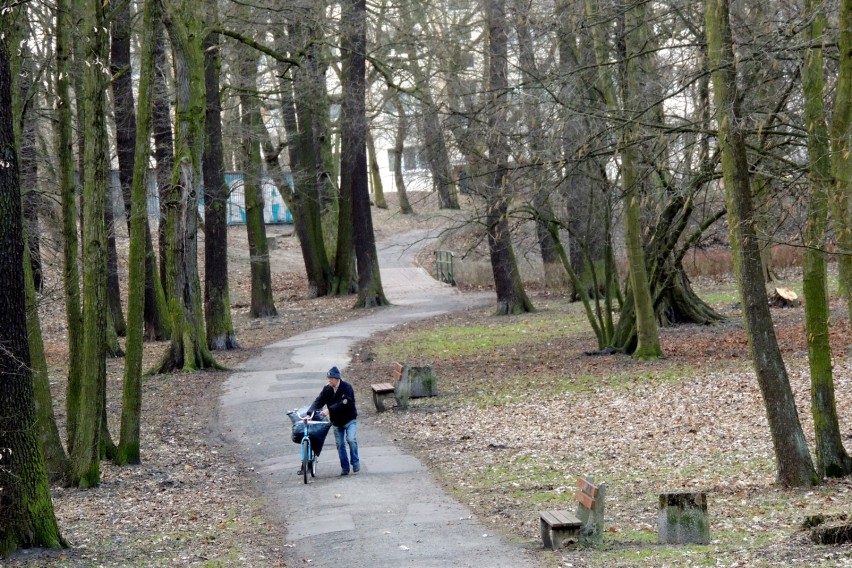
(793, 459)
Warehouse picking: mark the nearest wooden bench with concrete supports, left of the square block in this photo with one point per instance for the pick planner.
(559, 528)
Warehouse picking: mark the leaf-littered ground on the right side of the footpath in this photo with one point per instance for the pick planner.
(524, 421)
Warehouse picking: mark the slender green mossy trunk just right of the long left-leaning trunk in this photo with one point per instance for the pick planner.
(831, 457)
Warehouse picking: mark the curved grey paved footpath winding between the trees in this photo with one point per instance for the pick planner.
(390, 514)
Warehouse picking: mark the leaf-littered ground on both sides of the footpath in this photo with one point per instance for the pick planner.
(645, 430)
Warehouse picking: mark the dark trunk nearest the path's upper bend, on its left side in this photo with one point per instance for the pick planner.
(370, 292)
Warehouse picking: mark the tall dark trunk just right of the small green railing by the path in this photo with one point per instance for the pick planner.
(511, 296)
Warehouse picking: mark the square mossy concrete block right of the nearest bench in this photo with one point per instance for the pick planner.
(683, 519)
